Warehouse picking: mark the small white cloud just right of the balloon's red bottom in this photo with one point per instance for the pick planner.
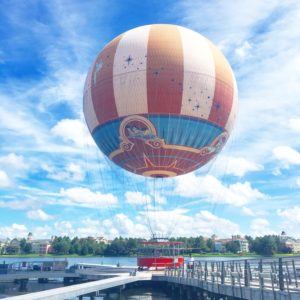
(239, 166)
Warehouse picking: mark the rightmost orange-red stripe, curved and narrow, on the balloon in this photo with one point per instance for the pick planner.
(224, 89)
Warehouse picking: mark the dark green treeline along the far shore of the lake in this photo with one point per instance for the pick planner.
(266, 245)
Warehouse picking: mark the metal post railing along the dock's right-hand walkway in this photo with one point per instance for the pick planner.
(269, 273)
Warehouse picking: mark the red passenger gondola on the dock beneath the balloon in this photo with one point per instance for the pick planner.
(160, 255)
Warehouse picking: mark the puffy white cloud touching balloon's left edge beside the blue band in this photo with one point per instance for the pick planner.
(74, 131)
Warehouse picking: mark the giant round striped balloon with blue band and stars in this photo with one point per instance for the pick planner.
(160, 100)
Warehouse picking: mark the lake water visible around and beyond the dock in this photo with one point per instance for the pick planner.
(11, 289)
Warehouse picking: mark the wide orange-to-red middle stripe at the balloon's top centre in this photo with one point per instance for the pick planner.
(164, 70)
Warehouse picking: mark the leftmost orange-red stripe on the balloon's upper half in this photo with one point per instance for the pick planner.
(102, 83)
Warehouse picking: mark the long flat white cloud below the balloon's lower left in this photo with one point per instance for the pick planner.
(84, 197)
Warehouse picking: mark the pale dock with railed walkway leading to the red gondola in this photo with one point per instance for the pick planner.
(251, 279)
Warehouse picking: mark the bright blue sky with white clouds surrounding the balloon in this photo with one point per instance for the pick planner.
(54, 180)
